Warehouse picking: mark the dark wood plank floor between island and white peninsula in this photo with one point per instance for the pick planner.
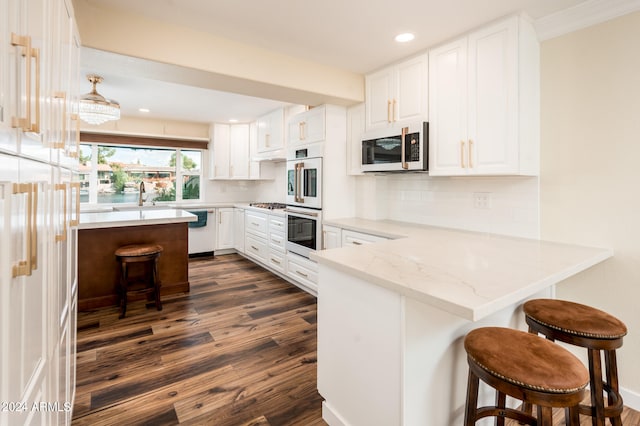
(239, 349)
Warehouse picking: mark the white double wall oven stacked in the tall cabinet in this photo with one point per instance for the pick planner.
(304, 200)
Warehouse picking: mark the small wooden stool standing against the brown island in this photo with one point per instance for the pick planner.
(148, 283)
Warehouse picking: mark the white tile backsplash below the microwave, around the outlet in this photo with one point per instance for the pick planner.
(449, 202)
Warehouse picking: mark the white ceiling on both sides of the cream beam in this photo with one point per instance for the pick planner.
(356, 35)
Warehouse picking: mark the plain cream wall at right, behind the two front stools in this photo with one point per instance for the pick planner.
(590, 169)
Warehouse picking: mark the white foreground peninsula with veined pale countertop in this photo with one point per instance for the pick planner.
(392, 315)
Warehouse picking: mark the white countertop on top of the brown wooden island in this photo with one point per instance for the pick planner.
(112, 219)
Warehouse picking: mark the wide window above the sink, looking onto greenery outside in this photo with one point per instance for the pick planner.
(111, 174)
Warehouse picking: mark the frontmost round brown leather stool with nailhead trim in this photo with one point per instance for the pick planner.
(525, 367)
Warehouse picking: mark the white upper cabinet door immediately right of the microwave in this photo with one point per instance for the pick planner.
(448, 109)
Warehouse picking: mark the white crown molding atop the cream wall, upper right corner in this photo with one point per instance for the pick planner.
(590, 12)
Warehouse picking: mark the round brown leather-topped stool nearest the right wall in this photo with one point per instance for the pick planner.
(593, 329)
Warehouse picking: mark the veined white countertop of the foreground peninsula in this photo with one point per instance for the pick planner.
(468, 274)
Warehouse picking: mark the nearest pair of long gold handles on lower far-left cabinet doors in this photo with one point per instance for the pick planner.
(24, 267)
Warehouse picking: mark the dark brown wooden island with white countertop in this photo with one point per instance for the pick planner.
(101, 233)
